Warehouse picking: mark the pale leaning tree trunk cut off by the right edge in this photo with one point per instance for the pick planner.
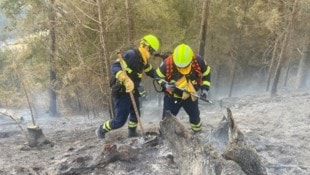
(303, 69)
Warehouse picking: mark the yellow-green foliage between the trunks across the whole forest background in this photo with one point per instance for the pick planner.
(242, 31)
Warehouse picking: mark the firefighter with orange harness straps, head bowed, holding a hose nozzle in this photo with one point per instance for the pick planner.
(181, 74)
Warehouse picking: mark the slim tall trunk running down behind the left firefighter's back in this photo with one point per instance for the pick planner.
(105, 59)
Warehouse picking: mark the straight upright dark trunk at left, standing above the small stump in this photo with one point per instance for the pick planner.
(52, 53)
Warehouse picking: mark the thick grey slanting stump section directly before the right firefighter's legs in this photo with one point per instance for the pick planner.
(192, 155)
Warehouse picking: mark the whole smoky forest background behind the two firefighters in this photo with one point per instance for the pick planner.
(56, 54)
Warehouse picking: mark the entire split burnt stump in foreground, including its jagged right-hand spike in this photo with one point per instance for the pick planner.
(195, 157)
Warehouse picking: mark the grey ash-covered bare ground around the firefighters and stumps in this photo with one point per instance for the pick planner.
(277, 127)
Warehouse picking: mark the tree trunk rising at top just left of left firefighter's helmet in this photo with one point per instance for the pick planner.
(130, 23)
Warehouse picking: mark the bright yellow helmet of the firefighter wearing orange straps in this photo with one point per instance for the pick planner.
(182, 58)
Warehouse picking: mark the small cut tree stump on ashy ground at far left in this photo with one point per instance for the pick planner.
(36, 136)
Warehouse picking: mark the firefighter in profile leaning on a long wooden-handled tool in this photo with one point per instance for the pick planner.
(135, 62)
